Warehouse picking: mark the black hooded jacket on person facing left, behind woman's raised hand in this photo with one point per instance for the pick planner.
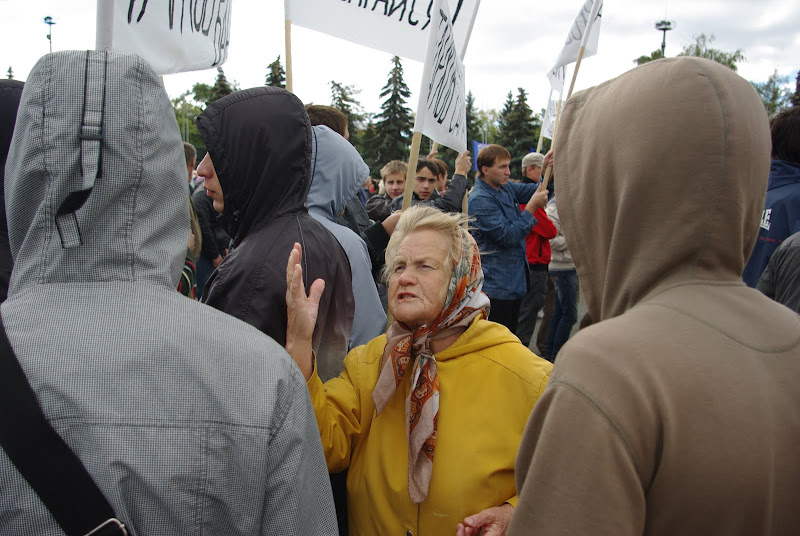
(259, 141)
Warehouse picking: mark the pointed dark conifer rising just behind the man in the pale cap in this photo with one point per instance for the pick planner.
(518, 130)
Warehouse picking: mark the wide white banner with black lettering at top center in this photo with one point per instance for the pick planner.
(398, 27)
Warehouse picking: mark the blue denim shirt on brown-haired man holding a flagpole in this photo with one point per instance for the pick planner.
(500, 229)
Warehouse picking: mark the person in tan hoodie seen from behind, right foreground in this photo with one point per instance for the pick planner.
(678, 412)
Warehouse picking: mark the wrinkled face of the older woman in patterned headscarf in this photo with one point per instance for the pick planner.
(419, 278)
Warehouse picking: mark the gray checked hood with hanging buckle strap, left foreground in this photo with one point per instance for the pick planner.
(96, 178)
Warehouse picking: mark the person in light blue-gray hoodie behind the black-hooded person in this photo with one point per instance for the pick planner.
(337, 172)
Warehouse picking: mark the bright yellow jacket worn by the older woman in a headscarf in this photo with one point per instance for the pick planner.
(488, 384)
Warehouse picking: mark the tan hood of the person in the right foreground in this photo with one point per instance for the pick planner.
(662, 174)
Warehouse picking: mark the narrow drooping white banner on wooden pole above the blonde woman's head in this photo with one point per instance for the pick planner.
(442, 112)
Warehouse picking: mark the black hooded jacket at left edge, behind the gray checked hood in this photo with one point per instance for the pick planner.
(10, 93)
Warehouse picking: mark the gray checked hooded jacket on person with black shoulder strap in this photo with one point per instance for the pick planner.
(188, 420)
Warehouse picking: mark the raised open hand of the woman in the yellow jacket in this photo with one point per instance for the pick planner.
(301, 312)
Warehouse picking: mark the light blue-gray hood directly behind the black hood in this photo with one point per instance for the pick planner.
(337, 172)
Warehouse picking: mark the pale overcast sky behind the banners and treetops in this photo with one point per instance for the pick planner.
(513, 44)
